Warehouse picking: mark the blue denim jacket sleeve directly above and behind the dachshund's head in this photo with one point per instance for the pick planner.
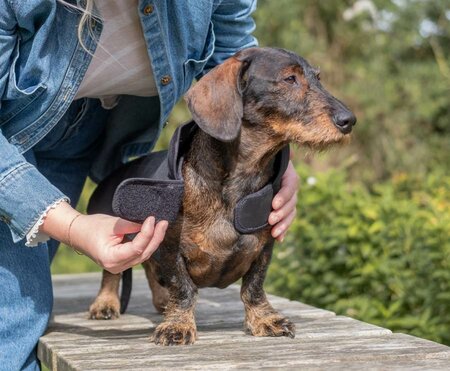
(233, 27)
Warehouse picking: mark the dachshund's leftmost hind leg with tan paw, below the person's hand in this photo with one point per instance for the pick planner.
(107, 303)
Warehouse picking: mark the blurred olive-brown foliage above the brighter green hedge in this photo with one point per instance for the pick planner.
(389, 61)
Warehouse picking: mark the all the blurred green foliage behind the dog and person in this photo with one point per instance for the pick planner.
(371, 239)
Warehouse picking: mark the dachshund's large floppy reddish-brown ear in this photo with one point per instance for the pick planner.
(216, 101)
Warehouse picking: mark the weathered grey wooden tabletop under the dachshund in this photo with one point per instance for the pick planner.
(323, 341)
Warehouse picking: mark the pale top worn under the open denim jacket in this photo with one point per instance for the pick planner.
(120, 64)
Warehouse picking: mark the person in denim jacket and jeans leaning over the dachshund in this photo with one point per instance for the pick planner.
(83, 88)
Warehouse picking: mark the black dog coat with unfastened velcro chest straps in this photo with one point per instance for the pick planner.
(153, 186)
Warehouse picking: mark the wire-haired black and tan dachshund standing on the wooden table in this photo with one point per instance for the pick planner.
(248, 109)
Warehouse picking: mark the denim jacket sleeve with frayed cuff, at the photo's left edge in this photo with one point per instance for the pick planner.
(25, 194)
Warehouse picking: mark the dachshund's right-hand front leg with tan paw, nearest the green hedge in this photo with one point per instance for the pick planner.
(260, 317)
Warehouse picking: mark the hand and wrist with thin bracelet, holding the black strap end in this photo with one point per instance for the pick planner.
(101, 236)
